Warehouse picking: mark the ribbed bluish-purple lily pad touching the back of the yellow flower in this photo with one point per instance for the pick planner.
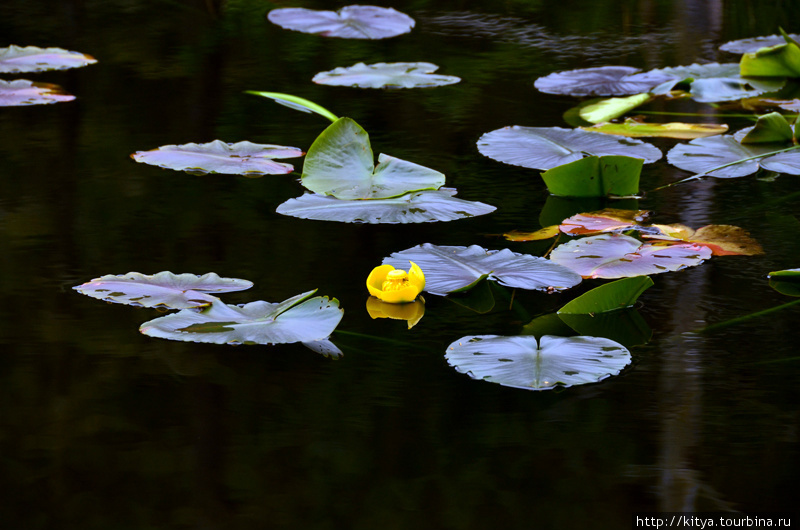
(452, 269)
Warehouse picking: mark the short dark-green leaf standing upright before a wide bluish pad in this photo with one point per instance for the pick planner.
(595, 177)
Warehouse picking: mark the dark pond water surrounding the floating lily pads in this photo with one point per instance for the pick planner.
(102, 427)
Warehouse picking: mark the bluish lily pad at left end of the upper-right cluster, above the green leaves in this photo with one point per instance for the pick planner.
(600, 81)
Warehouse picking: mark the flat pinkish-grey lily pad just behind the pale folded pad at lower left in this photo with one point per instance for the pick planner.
(164, 289)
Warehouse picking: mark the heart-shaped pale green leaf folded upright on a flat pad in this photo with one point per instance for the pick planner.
(340, 163)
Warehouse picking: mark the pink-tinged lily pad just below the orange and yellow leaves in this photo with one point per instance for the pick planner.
(621, 256)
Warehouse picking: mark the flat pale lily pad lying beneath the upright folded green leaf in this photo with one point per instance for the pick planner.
(418, 207)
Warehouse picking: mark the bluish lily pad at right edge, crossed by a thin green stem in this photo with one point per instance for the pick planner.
(725, 157)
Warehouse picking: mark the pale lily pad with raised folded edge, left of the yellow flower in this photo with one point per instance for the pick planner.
(298, 319)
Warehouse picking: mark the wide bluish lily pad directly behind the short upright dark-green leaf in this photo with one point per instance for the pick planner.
(548, 147)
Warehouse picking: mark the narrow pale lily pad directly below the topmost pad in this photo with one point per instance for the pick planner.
(386, 75)
